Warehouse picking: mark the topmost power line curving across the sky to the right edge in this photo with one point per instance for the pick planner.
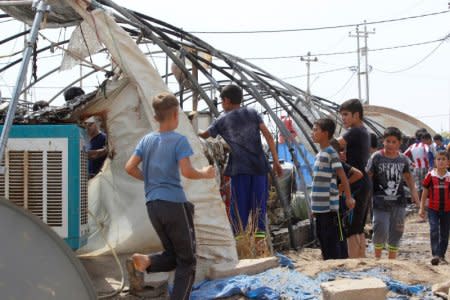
(321, 28)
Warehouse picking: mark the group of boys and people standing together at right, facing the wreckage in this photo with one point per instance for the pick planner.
(423, 166)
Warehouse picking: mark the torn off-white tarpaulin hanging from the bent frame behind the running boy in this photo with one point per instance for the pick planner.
(117, 199)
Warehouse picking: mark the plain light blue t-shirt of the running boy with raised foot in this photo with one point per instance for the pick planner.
(160, 153)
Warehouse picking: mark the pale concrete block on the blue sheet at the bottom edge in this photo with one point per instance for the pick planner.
(354, 289)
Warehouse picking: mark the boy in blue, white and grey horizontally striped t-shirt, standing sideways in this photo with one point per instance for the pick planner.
(325, 194)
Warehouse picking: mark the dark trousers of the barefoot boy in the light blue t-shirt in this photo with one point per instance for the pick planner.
(173, 222)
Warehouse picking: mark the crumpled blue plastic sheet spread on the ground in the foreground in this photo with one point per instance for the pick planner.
(288, 283)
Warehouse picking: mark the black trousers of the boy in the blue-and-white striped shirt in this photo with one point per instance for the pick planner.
(327, 229)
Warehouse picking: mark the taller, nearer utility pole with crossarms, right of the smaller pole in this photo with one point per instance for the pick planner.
(364, 51)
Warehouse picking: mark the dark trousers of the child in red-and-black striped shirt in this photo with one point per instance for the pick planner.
(439, 231)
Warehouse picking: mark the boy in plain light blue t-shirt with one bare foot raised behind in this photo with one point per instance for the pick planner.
(162, 154)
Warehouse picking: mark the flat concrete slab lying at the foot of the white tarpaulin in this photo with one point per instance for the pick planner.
(243, 266)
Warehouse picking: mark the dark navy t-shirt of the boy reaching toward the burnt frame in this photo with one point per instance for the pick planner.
(240, 129)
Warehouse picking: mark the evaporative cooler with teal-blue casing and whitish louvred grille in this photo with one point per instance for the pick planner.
(46, 173)
